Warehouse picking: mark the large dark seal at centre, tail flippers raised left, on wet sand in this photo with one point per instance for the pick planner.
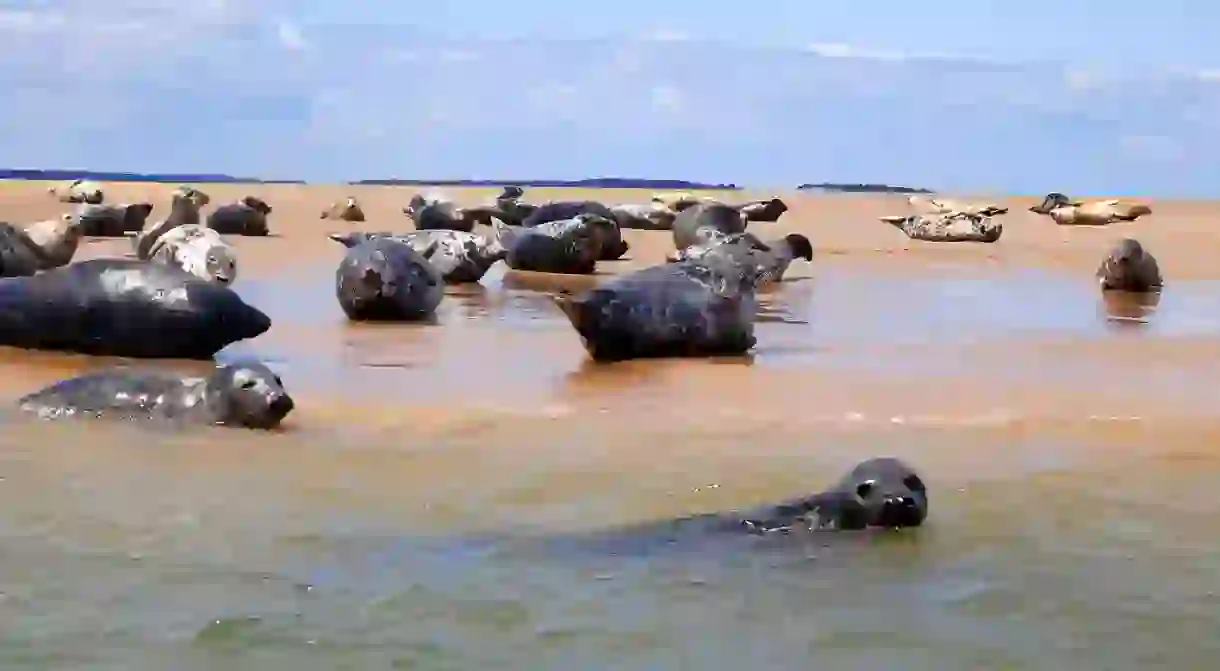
(684, 309)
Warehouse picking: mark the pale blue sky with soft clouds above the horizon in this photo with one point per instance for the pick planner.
(1117, 98)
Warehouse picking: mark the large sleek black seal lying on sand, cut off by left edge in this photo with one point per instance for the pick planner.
(125, 308)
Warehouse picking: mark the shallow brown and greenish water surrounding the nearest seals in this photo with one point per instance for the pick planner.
(1074, 511)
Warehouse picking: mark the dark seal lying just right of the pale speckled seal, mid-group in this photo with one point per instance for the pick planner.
(568, 247)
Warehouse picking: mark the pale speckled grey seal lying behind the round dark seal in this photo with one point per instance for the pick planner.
(461, 258)
